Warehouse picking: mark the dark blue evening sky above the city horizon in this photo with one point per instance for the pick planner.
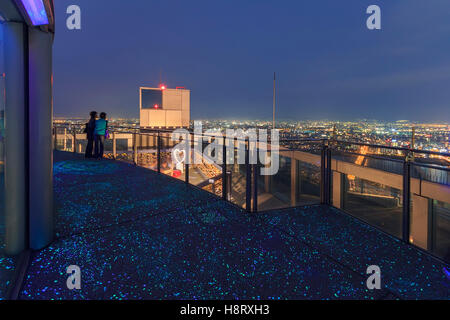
(328, 63)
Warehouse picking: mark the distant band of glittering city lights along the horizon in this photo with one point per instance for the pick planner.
(427, 136)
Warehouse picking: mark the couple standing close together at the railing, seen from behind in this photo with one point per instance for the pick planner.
(96, 131)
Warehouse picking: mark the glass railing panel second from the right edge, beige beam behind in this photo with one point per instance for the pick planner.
(369, 187)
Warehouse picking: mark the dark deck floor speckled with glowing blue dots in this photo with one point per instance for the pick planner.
(139, 235)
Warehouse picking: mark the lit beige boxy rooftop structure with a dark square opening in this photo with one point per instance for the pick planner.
(164, 108)
